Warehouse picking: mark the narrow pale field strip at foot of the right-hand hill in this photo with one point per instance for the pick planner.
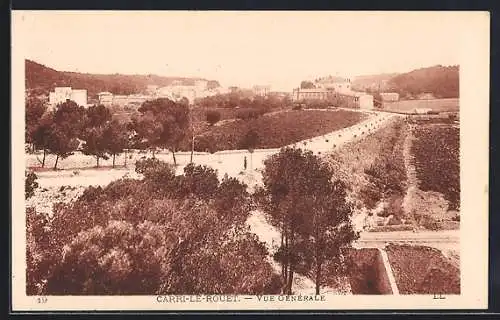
(408, 106)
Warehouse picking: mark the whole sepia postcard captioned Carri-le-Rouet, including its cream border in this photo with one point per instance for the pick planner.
(190, 160)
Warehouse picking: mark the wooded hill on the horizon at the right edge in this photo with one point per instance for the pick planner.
(440, 81)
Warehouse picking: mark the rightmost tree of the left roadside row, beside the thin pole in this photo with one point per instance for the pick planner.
(168, 121)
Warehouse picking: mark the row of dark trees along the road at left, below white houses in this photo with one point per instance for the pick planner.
(161, 123)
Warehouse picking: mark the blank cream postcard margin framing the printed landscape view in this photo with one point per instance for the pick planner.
(474, 121)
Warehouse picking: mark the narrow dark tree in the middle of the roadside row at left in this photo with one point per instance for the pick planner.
(97, 118)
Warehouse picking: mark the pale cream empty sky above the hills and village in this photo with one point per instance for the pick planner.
(240, 48)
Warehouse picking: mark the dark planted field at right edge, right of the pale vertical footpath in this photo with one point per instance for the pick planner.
(437, 160)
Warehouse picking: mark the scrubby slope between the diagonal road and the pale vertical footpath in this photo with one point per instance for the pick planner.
(374, 169)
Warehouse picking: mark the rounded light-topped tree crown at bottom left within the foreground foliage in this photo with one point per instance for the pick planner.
(114, 259)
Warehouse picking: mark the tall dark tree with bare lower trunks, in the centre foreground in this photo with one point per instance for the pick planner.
(309, 209)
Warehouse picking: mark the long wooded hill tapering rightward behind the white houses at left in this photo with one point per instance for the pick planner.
(40, 80)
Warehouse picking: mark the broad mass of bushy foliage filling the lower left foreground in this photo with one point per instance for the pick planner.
(150, 237)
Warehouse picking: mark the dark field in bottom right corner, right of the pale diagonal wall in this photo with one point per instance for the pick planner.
(430, 273)
